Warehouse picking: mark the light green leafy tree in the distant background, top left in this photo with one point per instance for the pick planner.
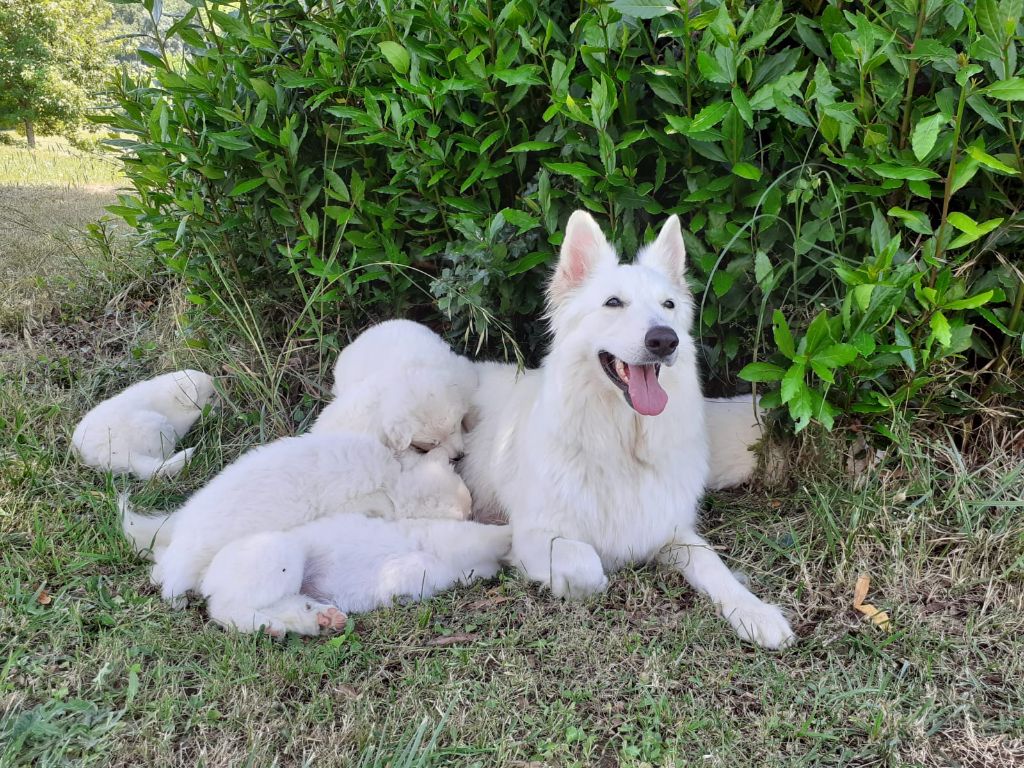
(54, 56)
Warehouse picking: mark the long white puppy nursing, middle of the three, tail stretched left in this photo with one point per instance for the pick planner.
(287, 484)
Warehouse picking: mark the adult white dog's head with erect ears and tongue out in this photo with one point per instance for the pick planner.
(628, 320)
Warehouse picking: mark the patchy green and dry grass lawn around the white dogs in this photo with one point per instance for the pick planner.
(96, 670)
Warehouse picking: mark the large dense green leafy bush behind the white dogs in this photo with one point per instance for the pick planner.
(852, 175)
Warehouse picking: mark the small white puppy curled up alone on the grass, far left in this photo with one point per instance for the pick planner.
(138, 430)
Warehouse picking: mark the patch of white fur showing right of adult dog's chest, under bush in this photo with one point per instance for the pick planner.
(734, 431)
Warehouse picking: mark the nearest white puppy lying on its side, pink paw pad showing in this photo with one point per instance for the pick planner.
(290, 581)
